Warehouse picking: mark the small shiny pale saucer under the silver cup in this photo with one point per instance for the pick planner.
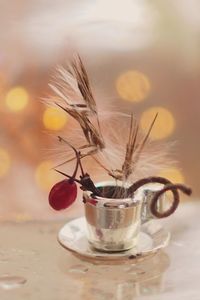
(151, 238)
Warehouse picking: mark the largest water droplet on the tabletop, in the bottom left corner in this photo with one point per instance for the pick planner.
(11, 282)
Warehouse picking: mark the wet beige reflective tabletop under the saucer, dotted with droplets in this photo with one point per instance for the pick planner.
(34, 266)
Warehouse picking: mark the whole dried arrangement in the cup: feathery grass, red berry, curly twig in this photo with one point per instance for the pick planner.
(74, 96)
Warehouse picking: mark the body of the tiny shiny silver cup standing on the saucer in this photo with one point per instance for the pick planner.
(113, 224)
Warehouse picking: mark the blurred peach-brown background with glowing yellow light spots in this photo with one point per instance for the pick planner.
(141, 56)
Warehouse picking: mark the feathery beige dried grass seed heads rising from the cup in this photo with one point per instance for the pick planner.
(74, 96)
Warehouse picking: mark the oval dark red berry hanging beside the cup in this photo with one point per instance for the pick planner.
(63, 194)
